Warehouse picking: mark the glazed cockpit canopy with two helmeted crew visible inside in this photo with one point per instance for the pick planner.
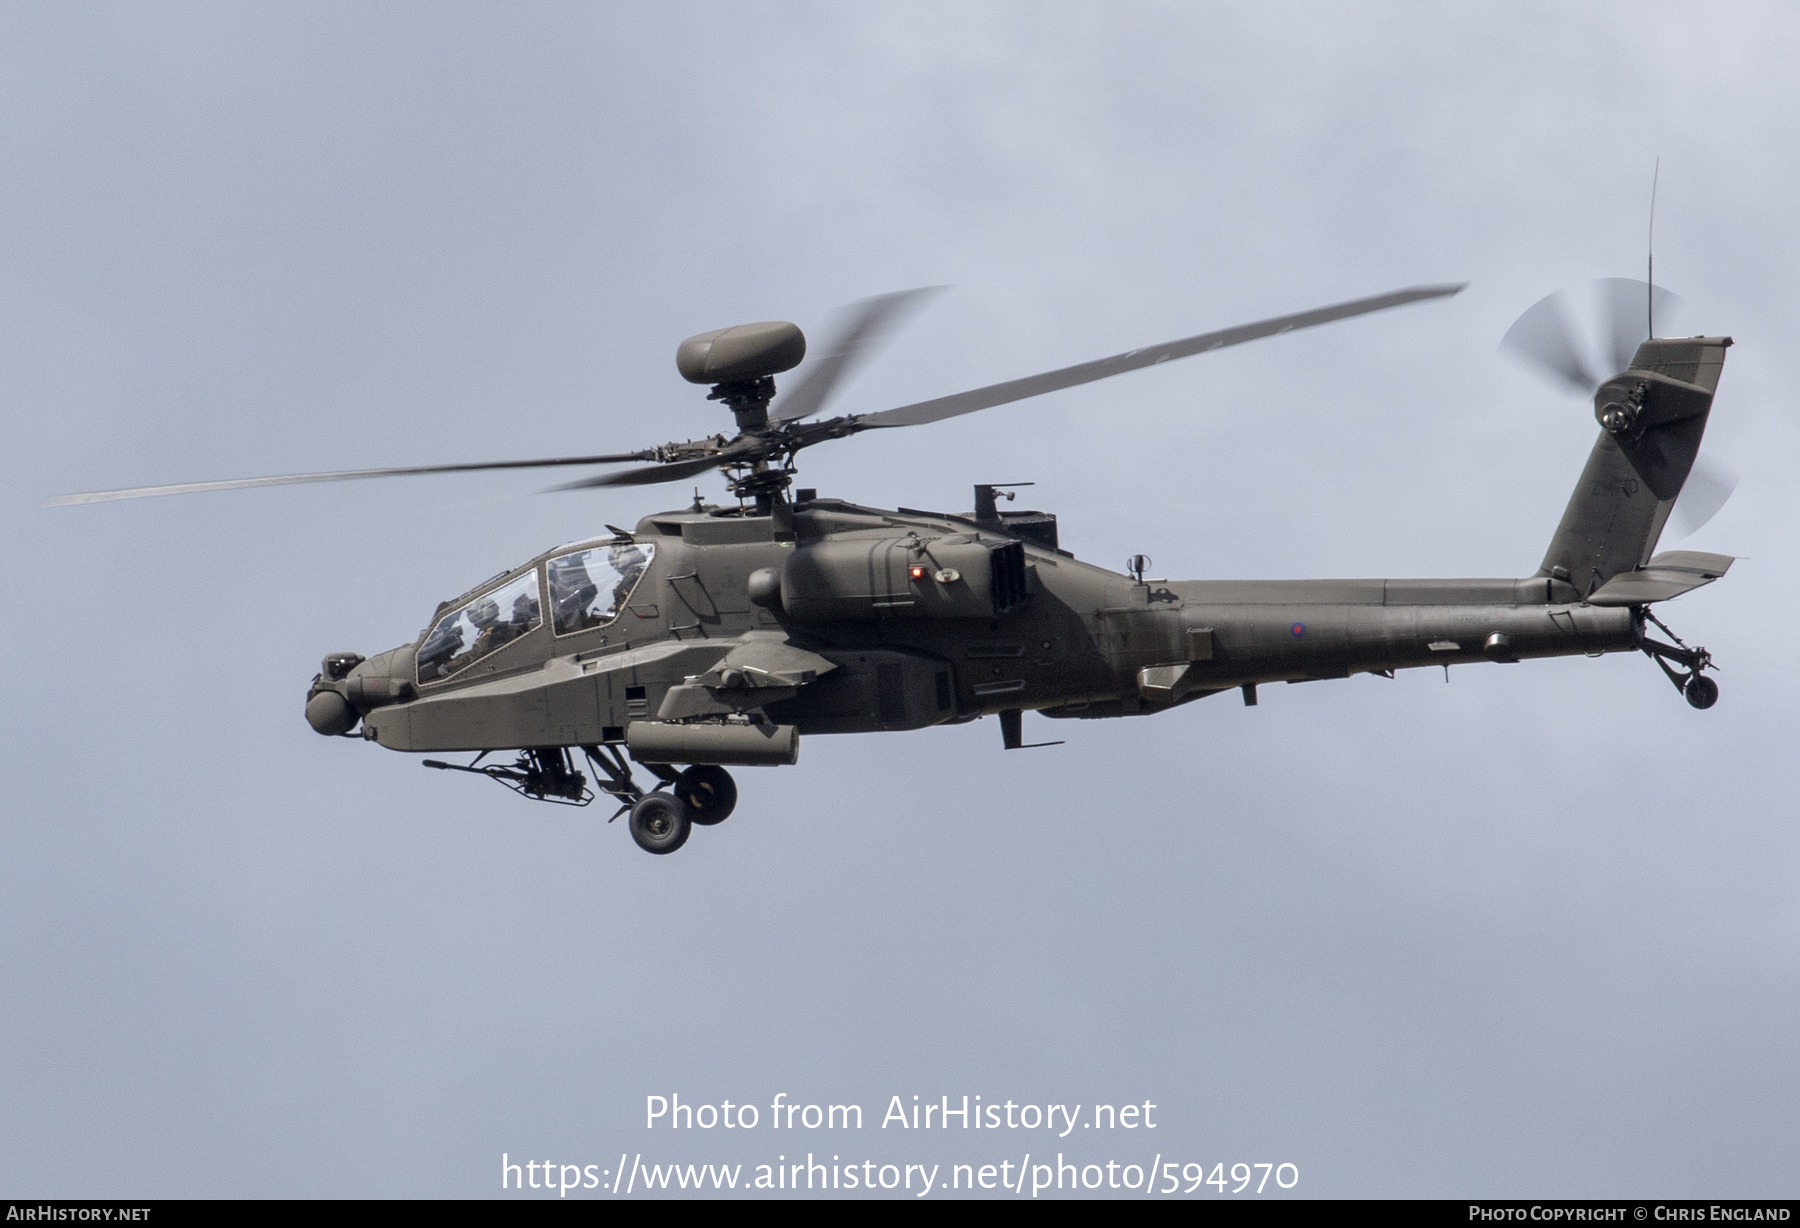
(588, 588)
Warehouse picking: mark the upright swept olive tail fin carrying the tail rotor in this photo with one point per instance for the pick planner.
(1653, 419)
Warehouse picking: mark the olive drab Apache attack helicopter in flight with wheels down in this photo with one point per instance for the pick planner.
(717, 637)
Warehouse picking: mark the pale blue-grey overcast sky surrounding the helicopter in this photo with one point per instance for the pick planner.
(1534, 932)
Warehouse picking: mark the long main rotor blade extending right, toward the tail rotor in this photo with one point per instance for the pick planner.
(1138, 359)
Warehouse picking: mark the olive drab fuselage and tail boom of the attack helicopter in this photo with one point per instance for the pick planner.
(836, 619)
